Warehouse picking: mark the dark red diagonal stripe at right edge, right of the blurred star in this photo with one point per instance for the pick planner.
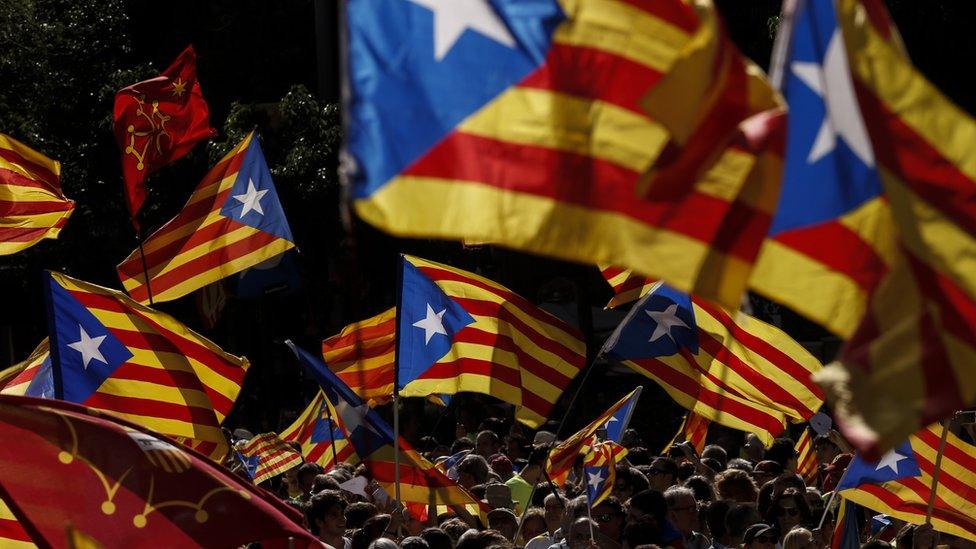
(933, 177)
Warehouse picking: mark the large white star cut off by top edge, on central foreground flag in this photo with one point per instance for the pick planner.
(453, 17)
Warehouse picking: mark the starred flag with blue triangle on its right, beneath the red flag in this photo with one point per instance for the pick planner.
(232, 221)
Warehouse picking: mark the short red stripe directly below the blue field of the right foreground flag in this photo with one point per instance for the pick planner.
(847, 253)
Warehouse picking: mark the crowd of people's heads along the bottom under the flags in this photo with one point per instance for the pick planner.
(682, 499)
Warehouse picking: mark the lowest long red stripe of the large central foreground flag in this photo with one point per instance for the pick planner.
(555, 174)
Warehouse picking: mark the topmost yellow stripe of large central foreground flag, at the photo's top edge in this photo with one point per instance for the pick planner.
(621, 29)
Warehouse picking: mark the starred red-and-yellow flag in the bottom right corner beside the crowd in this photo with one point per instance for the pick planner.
(907, 498)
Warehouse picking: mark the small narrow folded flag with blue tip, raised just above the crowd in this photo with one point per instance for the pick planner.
(562, 458)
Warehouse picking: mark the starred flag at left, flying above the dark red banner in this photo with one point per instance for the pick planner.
(111, 353)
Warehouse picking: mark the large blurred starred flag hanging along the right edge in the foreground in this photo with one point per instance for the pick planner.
(899, 191)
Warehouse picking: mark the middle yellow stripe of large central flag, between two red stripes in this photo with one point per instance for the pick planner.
(577, 125)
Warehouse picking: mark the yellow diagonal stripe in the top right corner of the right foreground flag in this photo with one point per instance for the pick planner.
(905, 91)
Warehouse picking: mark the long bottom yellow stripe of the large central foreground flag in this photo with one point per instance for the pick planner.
(545, 226)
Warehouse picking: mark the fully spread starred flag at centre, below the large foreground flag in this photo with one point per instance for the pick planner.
(458, 331)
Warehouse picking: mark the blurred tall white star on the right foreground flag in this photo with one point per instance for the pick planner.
(832, 82)
